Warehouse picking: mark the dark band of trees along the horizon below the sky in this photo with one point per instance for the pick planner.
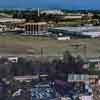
(32, 15)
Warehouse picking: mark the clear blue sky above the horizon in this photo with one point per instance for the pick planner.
(64, 4)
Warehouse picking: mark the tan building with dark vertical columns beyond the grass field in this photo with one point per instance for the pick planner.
(38, 28)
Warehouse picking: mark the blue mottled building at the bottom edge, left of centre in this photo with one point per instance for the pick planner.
(44, 91)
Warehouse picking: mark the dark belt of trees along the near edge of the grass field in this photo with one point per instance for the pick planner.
(69, 64)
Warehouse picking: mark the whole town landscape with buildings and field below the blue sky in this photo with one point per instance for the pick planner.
(49, 54)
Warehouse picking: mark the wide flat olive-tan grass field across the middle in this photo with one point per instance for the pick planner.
(14, 44)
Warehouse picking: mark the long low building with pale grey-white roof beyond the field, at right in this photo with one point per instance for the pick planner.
(80, 31)
